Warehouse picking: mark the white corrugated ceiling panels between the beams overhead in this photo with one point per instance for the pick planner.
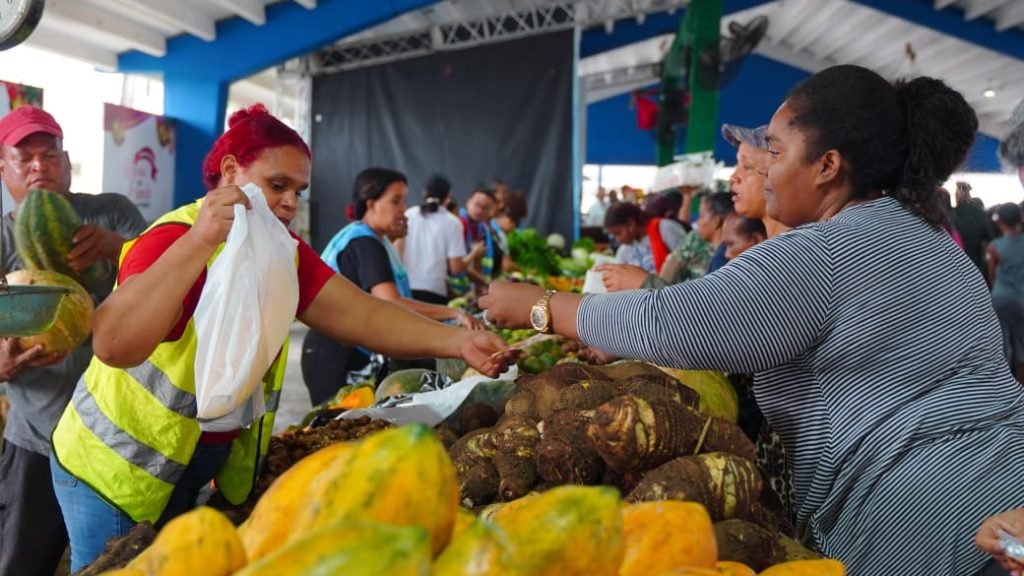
(808, 34)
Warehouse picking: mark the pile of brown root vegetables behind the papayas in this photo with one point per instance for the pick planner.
(630, 426)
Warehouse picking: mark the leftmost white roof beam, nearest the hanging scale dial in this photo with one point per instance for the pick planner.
(75, 16)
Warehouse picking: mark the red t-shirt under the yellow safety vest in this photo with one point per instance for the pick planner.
(314, 274)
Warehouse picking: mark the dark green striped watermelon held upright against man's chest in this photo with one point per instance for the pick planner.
(47, 223)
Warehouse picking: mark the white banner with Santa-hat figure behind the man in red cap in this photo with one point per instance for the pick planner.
(139, 158)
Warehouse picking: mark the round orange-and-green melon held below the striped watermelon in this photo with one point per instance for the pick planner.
(74, 320)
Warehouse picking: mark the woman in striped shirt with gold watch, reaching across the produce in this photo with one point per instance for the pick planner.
(884, 372)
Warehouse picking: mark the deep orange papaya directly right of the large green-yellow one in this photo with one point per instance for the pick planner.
(667, 536)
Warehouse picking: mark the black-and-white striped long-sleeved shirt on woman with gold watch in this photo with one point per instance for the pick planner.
(879, 361)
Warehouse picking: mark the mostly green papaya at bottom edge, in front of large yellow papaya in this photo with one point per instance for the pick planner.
(353, 549)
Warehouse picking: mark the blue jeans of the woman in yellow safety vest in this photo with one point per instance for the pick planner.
(93, 521)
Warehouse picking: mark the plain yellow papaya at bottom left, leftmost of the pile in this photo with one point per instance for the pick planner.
(200, 543)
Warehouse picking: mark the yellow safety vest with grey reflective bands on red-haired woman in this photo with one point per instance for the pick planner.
(130, 434)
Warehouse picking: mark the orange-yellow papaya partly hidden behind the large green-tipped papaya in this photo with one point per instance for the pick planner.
(271, 522)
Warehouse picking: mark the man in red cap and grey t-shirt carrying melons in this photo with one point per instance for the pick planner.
(32, 531)
